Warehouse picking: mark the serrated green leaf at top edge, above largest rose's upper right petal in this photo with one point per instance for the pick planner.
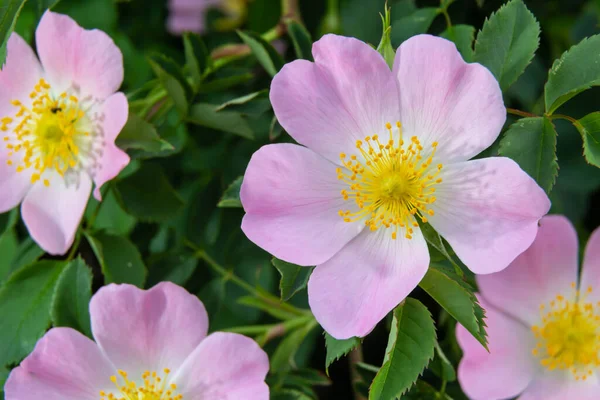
(507, 42)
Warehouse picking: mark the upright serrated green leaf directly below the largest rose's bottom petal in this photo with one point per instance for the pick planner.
(410, 348)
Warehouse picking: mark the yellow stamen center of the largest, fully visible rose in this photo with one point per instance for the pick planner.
(392, 182)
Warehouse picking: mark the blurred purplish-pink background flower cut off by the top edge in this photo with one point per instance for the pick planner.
(190, 15)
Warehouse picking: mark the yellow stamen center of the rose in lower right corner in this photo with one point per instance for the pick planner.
(569, 336)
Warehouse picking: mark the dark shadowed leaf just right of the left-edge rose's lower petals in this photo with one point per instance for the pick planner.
(148, 195)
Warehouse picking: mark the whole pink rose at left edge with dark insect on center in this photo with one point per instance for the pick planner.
(58, 123)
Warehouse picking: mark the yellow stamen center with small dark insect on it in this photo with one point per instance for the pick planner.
(52, 134)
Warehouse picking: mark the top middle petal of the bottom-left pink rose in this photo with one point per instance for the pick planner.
(150, 330)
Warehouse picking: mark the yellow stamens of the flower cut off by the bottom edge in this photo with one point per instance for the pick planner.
(154, 388)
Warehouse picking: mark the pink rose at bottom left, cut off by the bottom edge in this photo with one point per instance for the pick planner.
(150, 345)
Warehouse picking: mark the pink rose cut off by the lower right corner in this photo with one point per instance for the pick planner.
(543, 323)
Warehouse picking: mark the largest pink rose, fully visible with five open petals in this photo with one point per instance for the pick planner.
(381, 152)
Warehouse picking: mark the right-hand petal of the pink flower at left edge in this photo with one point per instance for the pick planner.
(115, 111)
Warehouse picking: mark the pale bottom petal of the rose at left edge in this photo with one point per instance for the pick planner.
(52, 214)
